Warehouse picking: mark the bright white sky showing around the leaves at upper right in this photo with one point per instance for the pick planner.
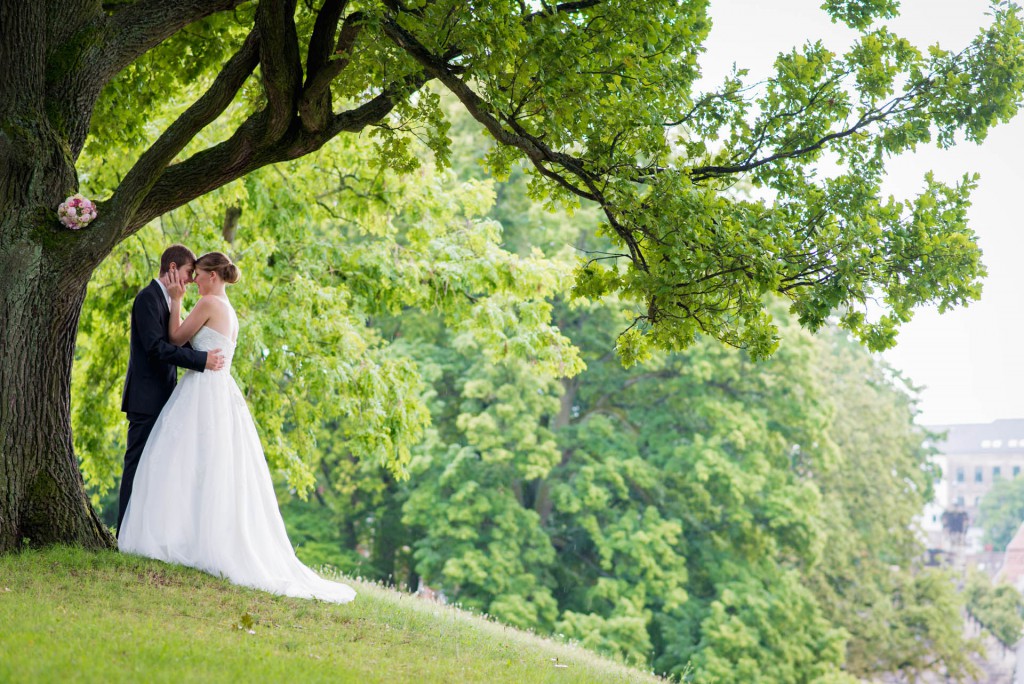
(968, 362)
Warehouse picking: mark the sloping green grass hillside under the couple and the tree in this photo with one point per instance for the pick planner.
(74, 616)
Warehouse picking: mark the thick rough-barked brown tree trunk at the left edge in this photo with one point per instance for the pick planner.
(45, 270)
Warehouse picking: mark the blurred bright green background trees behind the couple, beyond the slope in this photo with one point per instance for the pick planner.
(704, 514)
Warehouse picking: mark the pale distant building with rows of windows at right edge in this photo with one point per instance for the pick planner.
(972, 458)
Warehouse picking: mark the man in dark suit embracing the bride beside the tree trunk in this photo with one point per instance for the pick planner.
(152, 372)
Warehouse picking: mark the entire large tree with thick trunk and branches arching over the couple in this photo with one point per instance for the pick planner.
(599, 96)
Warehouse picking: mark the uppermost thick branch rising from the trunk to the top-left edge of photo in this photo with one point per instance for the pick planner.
(142, 26)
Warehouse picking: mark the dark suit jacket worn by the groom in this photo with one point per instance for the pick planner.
(152, 372)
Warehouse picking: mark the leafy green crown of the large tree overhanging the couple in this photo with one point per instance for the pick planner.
(600, 100)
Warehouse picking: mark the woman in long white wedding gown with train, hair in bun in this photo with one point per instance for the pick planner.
(203, 495)
